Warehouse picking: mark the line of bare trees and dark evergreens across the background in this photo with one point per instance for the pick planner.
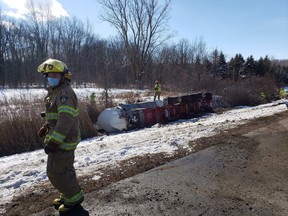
(123, 61)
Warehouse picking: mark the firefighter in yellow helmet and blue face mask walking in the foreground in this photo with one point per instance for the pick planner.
(62, 134)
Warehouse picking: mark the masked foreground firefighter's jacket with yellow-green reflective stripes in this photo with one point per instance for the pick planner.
(62, 117)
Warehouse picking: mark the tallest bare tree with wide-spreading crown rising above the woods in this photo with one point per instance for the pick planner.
(142, 25)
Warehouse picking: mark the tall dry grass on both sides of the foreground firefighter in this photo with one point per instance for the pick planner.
(21, 120)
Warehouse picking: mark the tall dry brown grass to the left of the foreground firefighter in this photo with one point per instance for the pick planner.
(19, 125)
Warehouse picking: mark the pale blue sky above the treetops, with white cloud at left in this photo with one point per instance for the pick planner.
(249, 27)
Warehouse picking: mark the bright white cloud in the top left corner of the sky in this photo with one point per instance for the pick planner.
(19, 8)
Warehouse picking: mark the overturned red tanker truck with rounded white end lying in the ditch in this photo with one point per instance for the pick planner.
(139, 115)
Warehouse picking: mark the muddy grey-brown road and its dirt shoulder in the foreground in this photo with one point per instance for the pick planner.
(242, 171)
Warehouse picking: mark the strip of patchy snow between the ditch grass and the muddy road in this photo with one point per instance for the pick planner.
(22, 171)
